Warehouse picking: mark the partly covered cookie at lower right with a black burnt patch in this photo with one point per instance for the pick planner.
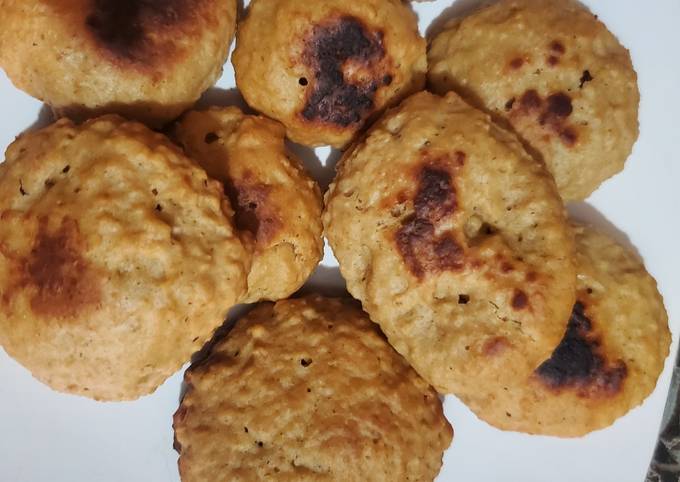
(608, 360)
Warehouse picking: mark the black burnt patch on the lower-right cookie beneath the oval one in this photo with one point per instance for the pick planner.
(578, 362)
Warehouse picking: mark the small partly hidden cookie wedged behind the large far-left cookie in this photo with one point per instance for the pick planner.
(278, 206)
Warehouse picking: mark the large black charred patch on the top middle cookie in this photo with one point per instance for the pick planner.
(333, 47)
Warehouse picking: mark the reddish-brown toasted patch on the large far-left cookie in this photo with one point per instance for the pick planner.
(58, 273)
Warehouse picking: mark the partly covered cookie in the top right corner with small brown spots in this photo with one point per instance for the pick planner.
(555, 73)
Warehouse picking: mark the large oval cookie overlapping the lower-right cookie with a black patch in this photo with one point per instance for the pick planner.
(455, 241)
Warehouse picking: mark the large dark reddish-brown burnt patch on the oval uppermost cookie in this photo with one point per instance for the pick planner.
(423, 250)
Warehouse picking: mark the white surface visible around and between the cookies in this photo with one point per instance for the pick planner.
(45, 436)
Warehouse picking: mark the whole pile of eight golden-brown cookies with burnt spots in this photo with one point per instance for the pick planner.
(122, 248)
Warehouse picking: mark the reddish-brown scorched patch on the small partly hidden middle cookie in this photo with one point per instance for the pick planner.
(253, 212)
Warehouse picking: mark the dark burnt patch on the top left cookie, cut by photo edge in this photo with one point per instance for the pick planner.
(129, 29)
